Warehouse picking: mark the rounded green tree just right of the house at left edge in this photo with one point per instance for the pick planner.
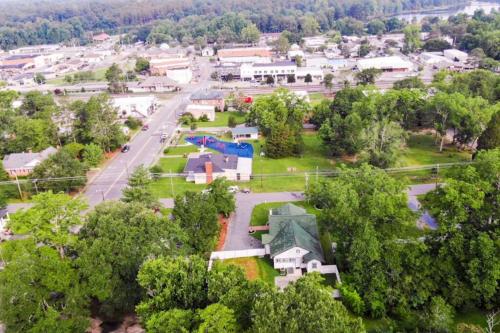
(60, 172)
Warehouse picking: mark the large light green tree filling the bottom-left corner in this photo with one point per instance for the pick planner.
(40, 291)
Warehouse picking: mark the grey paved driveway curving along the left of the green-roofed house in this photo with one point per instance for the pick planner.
(238, 237)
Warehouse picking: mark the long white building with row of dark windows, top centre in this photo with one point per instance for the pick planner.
(278, 70)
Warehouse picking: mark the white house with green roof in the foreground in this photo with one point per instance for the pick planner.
(293, 240)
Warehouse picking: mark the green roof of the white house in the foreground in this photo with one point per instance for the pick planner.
(290, 226)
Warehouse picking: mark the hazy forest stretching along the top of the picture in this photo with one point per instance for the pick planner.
(57, 21)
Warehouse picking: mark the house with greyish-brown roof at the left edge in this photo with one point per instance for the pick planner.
(23, 164)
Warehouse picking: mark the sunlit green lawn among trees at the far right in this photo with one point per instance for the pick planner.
(422, 150)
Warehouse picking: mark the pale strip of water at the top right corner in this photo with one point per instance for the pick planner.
(468, 9)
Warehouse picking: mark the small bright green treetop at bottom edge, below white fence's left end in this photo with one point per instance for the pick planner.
(217, 318)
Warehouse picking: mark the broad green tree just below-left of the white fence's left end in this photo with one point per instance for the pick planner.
(172, 282)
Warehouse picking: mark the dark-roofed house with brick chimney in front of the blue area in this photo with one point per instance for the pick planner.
(203, 168)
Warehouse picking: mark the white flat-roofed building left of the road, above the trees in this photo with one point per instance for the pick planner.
(140, 107)
